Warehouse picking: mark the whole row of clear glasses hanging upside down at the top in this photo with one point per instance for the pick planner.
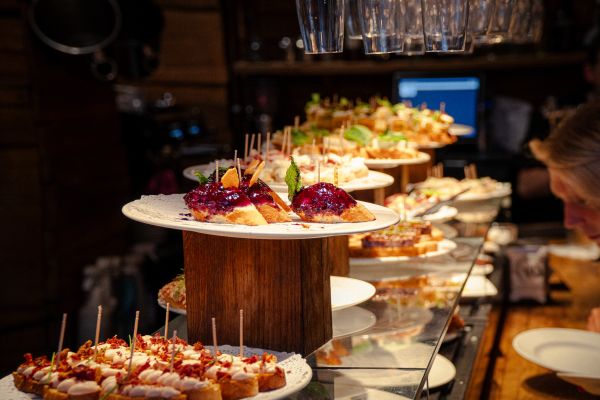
(412, 27)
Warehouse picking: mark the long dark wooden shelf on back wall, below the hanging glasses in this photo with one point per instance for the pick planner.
(344, 67)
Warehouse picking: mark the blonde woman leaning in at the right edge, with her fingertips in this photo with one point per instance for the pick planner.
(572, 155)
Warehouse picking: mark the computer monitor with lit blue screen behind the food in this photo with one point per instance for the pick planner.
(459, 93)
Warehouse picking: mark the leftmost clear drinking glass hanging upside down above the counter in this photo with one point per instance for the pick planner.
(321, 25)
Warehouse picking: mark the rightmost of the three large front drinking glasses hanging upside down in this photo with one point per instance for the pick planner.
(445, 25)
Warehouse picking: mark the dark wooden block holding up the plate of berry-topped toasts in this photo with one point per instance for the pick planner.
(282, 286)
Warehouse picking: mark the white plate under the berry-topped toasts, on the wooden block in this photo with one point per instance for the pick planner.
(170, 211)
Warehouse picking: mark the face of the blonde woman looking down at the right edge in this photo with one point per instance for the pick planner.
(581, 211)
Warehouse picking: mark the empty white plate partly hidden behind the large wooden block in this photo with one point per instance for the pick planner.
(345, 292)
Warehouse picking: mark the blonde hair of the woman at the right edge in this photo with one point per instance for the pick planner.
(574, 147)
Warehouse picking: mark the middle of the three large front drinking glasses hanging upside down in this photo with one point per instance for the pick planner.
(382, 25)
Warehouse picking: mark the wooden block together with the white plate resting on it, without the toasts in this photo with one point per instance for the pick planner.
(278, 273)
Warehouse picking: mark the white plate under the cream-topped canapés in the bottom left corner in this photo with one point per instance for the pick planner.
(297, 371)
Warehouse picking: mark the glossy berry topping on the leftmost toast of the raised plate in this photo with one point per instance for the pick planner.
(214, 198)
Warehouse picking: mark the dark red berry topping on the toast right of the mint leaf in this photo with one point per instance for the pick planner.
(321, 198)
